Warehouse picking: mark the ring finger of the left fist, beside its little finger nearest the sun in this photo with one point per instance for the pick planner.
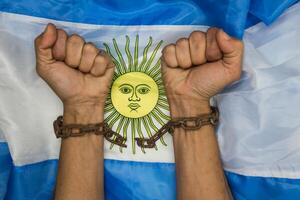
(89, 54)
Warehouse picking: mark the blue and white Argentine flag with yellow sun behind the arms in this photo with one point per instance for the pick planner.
(259, 130)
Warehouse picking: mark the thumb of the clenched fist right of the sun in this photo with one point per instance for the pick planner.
(231, 48)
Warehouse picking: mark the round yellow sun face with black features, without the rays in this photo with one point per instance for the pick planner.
(134, 94)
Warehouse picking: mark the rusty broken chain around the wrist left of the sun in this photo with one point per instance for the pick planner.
(76, 130)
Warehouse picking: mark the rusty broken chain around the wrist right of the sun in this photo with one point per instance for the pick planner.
(187, 123)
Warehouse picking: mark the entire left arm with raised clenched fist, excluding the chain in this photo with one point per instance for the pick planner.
(80, 75)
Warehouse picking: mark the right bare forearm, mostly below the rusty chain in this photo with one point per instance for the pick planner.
(198, 166)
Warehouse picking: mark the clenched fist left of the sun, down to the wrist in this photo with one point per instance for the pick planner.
(78, 72)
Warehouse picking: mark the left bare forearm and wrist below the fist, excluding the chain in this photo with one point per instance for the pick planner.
(80, 172)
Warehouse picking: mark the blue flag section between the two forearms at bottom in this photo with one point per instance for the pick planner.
(139, 180)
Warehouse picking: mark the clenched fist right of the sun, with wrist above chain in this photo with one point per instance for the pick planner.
(197, 68)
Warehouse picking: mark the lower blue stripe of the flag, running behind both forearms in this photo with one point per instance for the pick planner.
(139, 180)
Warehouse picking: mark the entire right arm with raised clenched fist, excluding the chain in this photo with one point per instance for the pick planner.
(195, 69)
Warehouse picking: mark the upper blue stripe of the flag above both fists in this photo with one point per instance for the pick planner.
(228, 14)
